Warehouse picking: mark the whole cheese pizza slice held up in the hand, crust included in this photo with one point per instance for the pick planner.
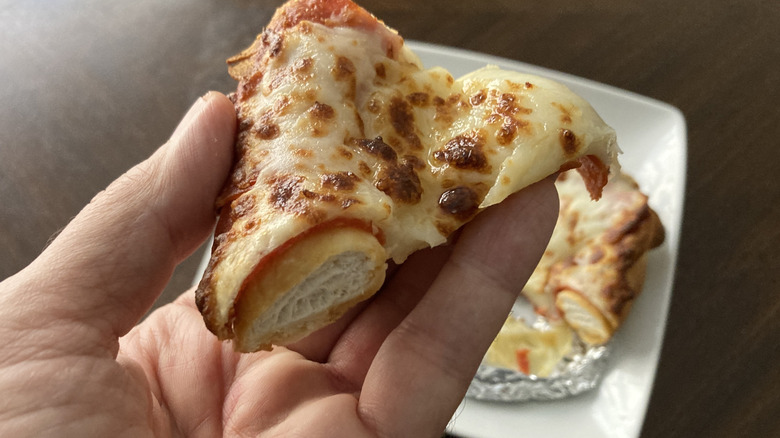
(350, 153)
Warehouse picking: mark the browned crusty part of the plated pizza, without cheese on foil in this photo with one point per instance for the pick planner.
(594, 265)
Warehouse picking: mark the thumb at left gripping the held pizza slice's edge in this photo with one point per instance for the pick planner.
(112, 261)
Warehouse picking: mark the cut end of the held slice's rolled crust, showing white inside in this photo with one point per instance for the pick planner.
(309, 286)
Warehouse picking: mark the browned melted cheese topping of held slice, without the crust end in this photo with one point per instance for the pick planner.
(343, 122)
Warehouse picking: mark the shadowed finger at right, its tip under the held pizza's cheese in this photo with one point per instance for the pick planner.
(422, 371)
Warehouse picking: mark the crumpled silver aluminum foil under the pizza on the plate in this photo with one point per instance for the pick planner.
(578, 372)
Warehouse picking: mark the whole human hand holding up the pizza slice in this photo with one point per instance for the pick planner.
(74, 363)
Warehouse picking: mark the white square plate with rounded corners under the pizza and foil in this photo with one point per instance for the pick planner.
(652, 136)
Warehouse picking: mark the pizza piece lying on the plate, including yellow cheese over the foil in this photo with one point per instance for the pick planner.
(587, 280)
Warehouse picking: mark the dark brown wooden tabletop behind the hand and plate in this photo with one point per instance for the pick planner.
(88, 88)
